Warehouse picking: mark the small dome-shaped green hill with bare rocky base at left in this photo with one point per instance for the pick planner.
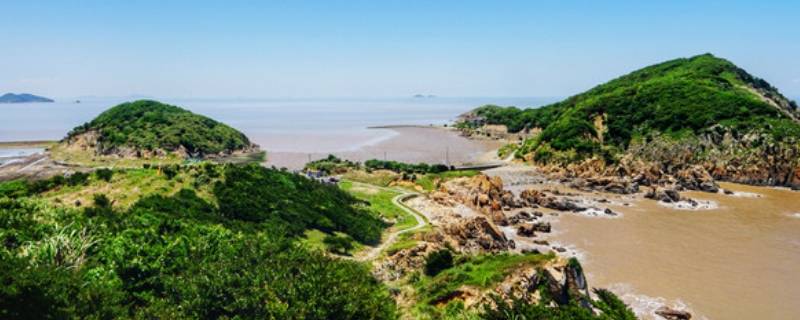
(146, 128)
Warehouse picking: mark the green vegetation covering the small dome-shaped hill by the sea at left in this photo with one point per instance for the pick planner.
(151, 125)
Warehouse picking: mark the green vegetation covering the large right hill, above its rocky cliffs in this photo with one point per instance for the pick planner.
(681, 97)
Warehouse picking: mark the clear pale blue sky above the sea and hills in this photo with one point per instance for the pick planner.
(296, 49)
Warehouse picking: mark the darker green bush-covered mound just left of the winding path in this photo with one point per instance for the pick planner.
(257, 194)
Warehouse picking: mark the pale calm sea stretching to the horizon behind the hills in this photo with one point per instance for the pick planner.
(278, 125)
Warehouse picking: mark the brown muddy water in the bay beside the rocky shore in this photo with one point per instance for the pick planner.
(740, 260)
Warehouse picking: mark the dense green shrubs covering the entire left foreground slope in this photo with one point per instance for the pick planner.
(183, 255)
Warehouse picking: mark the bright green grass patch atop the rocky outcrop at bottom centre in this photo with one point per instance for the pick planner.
(476, 271)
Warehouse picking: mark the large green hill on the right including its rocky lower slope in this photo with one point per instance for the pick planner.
(701, 110)
